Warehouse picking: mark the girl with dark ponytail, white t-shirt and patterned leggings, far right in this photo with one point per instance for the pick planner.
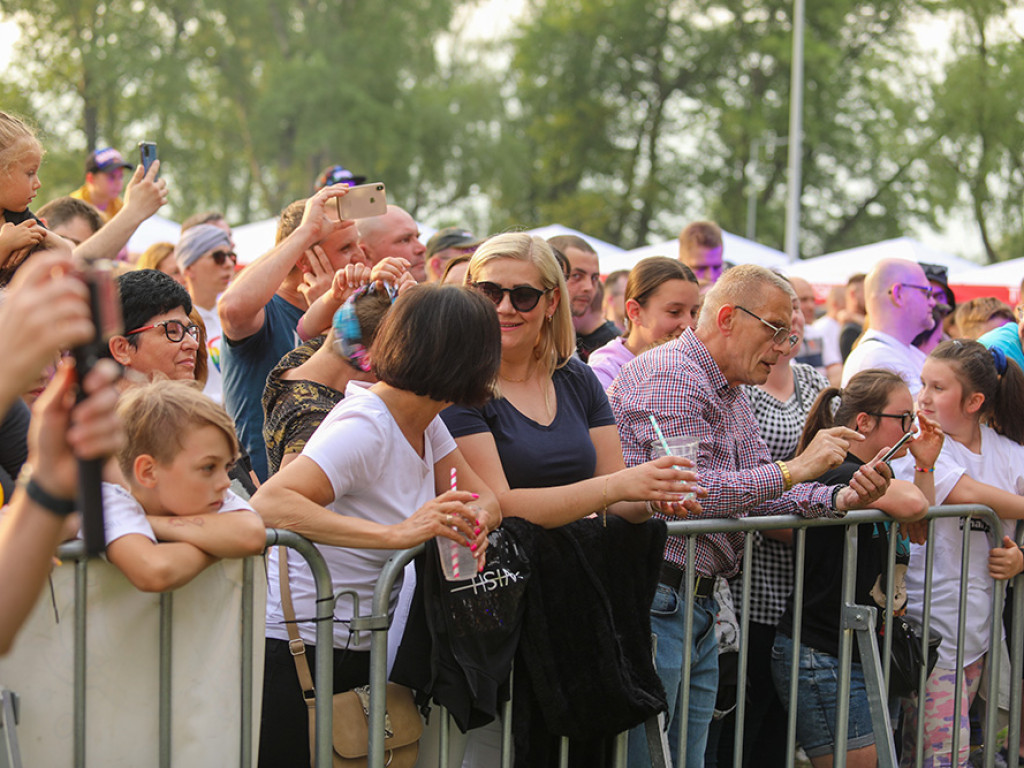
(975, 395)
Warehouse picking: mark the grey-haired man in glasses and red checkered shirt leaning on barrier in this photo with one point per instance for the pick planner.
(692, 388)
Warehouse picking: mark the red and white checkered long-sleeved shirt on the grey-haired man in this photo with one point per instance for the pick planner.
(682, 387)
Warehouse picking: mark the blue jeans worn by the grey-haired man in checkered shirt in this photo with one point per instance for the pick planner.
(668, 616)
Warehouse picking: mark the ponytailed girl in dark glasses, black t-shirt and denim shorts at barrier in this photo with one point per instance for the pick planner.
(877, 404)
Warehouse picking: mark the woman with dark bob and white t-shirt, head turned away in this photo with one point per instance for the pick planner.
(376, 477)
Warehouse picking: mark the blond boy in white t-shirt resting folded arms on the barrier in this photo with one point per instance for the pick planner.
(178, 517)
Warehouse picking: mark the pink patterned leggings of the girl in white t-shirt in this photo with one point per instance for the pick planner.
(940, 709)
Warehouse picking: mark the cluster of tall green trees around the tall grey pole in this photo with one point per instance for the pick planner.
(644, 112)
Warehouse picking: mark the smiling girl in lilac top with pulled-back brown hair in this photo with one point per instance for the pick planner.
(662, 301)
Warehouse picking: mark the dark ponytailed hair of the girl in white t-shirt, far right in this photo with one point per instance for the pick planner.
(1000, 380)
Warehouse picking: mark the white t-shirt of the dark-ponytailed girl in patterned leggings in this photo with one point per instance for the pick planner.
(1001, 464)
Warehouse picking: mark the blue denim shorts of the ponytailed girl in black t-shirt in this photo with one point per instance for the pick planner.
(818, 692)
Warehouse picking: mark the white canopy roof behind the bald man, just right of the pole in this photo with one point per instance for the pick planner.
(836, 269)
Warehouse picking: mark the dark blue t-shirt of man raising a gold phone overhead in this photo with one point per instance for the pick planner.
(245, 365)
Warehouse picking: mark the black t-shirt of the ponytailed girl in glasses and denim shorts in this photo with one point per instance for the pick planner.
(824, 573)
